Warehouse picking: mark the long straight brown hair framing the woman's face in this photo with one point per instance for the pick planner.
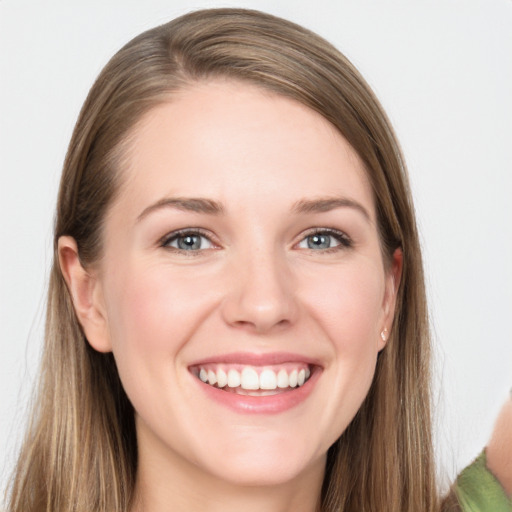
(80, 452)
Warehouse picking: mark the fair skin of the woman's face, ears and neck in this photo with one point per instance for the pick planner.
(253, 287)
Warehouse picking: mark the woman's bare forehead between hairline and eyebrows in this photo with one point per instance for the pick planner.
(240, 145)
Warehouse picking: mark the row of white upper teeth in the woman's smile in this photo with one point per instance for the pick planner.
(249, 380)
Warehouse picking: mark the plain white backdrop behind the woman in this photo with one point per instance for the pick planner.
(443, 71)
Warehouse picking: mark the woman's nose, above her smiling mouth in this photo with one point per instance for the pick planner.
(261, 294)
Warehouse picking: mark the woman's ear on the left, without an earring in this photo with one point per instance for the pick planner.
(86, 293)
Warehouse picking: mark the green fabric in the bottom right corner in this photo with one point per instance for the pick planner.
(478, 490)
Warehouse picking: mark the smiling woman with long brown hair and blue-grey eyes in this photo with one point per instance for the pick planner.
(237, 312)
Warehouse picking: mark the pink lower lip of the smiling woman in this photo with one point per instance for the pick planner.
(272, 404)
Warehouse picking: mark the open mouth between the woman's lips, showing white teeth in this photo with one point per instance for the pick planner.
(254, 380)
